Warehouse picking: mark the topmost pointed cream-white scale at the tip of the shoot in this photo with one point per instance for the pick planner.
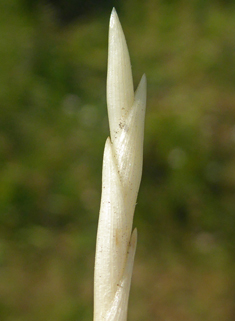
(120, 91)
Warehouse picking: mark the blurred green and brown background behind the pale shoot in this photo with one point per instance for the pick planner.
(53, 126)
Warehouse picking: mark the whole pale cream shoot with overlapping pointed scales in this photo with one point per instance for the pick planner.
(122, 170)
